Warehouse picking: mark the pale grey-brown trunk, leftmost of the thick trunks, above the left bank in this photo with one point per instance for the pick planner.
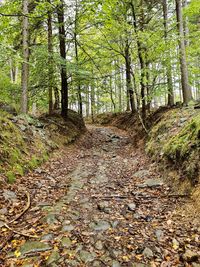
(25, 64)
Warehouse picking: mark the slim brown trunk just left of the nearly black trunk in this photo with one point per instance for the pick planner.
(50, 60)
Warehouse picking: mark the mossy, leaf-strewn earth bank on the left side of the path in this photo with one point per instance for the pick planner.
(25, 142)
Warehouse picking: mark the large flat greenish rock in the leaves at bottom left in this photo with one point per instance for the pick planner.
(34, 246)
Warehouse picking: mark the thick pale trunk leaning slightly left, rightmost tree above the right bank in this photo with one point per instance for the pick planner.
(187, 93)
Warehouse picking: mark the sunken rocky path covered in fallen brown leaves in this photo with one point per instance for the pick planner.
(97, 202)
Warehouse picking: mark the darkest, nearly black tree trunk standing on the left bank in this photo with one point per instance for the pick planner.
(64, 83)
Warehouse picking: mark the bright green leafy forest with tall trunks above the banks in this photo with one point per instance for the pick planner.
(99, 56)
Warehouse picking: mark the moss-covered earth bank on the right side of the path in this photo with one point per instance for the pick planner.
(175, 142)
